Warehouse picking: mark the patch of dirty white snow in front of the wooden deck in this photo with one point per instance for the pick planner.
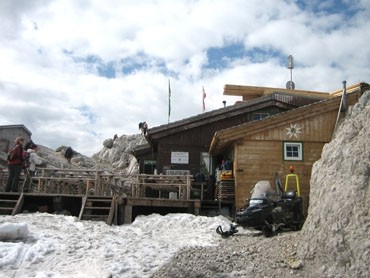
(46, 245)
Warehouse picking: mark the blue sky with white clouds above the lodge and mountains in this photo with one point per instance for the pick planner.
(77, 72)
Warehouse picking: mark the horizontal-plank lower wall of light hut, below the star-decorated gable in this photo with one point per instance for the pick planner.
(261, 160)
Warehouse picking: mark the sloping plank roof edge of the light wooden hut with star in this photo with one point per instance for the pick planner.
(224, 138)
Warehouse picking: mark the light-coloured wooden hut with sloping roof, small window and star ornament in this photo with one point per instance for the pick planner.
(265, 149)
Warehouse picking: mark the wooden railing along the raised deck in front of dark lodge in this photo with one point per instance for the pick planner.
(103, 183)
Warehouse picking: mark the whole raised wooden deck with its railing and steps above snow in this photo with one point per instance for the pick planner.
(99, 195)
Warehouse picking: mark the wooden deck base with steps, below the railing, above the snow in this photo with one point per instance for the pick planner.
(112, 210)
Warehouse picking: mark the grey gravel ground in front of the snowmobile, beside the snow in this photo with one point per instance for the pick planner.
(245, 254)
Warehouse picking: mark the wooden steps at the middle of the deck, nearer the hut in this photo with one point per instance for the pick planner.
(98, 208)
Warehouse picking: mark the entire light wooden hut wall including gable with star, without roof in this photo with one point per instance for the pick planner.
(259, 156)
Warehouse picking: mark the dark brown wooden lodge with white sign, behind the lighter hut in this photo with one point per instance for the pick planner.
(182, 147)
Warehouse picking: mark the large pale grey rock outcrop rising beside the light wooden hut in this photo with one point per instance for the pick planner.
(336, 231)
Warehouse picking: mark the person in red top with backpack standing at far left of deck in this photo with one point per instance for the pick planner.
(15, 165)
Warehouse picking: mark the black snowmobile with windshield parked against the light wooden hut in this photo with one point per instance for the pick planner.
(272, 212)
